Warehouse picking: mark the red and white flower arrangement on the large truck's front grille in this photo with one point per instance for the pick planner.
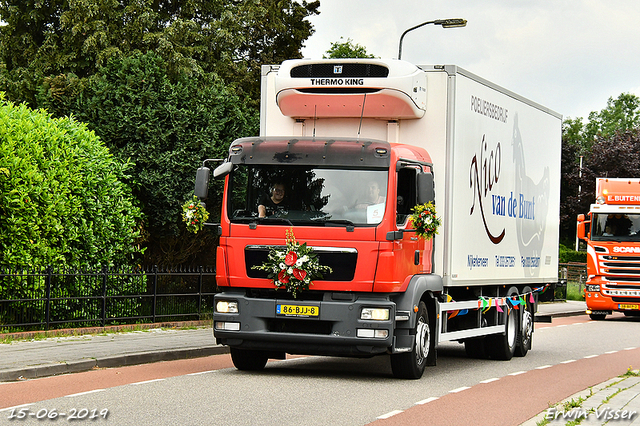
(294, 267)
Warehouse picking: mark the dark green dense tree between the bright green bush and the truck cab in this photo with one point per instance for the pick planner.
(167, 129)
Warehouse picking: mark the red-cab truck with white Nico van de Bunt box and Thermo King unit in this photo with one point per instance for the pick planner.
(347, 149)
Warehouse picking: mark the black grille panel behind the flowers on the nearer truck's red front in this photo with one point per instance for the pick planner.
(341, 260)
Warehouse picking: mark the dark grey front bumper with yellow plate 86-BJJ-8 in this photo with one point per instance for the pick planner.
(336, 328)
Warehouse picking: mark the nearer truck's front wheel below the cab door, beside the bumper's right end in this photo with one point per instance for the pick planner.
(410, 365)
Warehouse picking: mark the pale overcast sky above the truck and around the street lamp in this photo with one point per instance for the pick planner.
(568, 55)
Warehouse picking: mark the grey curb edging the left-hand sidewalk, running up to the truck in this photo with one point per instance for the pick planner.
(109, 362)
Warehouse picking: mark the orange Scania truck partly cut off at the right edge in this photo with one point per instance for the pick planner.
(612, 234)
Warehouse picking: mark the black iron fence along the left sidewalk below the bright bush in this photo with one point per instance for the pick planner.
(50, 298)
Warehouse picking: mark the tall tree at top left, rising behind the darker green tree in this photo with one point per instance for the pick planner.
(233, 39)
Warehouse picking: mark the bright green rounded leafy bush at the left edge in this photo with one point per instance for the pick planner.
(62, 196)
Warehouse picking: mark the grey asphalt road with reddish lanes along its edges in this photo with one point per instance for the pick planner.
(568, 355)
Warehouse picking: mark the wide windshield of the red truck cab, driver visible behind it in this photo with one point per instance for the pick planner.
(307, 195)
